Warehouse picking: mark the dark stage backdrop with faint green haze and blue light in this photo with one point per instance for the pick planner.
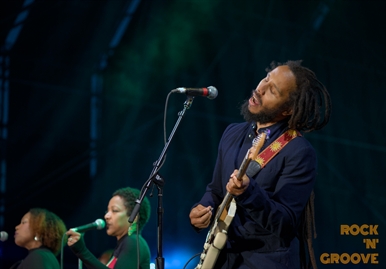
(83, 92)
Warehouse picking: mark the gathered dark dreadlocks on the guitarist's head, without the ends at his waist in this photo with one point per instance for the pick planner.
(308, 100)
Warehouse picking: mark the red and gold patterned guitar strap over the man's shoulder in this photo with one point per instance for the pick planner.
(266, 155)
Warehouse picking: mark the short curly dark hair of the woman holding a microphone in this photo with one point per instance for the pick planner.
(130, 195)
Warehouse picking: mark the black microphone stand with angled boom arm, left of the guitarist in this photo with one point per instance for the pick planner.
(158, 180)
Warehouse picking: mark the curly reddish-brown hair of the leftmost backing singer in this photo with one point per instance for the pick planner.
(48, 227)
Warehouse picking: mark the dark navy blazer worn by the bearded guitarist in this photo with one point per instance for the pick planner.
(263, 230)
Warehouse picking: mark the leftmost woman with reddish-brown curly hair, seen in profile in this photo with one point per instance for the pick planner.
(40, 232)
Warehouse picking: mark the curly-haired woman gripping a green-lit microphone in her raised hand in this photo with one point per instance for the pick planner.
(126, 254)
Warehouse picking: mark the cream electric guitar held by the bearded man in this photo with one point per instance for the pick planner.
(217, 235)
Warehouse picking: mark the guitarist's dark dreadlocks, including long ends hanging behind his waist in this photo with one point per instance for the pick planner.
(311, 108)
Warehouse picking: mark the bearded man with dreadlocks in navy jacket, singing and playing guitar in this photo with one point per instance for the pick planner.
(270, 203)
